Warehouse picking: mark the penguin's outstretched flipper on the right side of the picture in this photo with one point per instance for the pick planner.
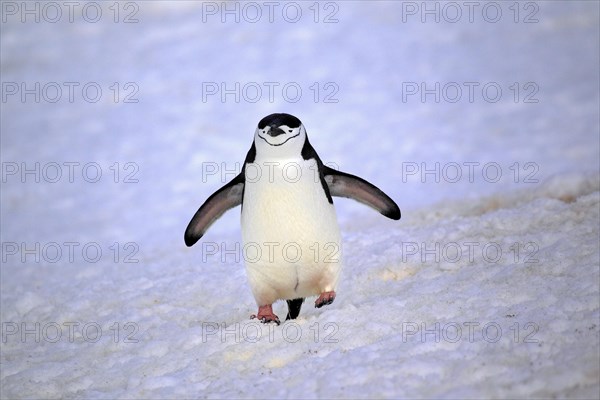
(341, 184)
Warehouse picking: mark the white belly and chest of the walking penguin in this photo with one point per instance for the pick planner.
(292, 245)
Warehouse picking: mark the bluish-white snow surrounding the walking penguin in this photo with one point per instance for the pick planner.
(487, 287)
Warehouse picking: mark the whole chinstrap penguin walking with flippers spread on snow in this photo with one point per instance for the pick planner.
(288, 215)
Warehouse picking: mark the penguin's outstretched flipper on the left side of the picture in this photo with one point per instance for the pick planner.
(227, 197)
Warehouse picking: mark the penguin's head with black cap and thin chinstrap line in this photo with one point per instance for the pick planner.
(279, 135)
